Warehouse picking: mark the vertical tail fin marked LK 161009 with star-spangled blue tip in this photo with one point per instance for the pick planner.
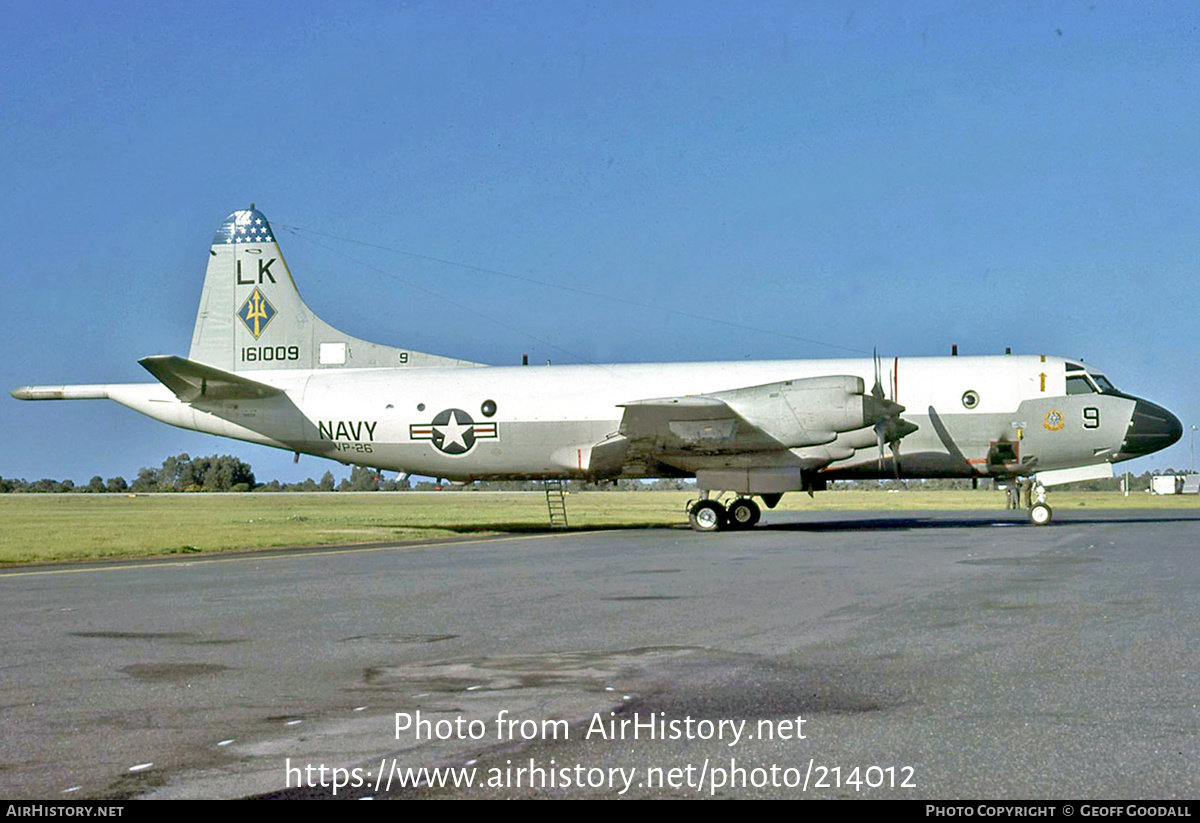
(253, 317)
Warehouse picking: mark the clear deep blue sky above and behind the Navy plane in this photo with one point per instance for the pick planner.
(817, 178)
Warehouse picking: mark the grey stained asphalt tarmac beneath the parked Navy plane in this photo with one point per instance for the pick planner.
(829, 654)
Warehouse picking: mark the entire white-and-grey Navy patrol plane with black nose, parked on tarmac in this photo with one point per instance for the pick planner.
(265, 369)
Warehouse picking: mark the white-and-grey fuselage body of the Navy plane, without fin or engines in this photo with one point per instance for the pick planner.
(975, 417)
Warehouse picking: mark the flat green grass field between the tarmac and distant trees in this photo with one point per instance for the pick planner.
(55, 528)
